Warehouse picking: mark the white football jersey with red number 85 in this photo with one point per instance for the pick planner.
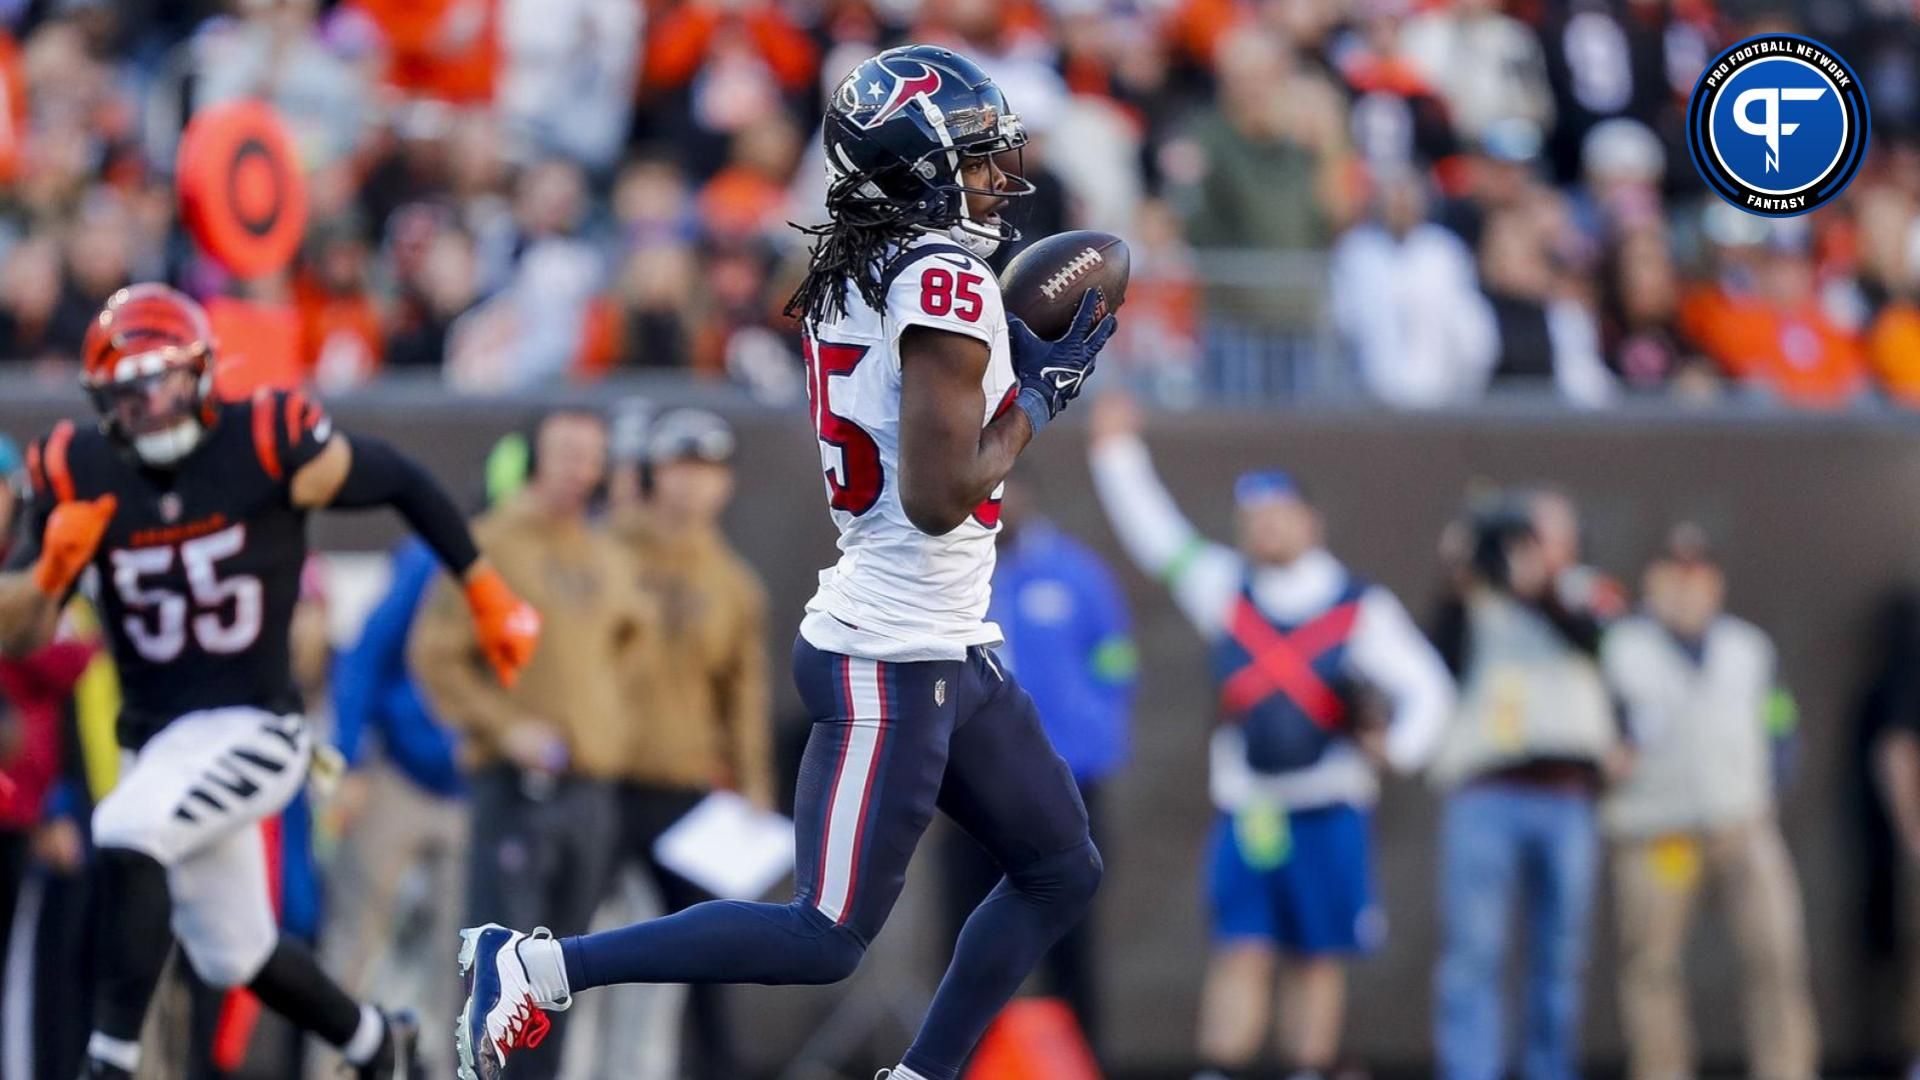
(900, 595)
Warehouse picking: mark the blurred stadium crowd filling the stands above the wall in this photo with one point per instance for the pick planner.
(1416, 201)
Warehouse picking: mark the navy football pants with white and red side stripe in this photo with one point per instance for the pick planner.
(890, 745)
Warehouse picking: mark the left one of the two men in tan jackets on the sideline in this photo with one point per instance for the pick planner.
(542, 758)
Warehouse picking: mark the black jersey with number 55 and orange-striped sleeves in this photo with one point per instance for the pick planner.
(201, 568)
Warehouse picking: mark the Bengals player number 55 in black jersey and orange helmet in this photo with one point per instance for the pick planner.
(195, 516)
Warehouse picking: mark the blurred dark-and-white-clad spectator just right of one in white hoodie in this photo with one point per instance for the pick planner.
(1547, 337)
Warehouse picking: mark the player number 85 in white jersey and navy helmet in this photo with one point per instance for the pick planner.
(923, 393)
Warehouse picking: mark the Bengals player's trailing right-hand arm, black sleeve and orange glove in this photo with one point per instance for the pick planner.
(370, 474)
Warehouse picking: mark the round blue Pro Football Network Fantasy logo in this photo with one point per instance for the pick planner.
(1777, 126)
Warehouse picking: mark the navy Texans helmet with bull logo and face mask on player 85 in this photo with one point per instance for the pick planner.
(898, 130)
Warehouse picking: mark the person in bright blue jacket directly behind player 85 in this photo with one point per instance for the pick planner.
(1068, 637)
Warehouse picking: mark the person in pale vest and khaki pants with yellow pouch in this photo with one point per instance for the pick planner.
(1704, 702)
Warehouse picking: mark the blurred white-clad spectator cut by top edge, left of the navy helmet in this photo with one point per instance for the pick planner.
(567, 84)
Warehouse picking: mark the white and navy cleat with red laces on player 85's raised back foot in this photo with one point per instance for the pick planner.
(502, 1012)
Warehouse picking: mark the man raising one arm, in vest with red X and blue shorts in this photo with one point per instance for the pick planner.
(1305, 654)
